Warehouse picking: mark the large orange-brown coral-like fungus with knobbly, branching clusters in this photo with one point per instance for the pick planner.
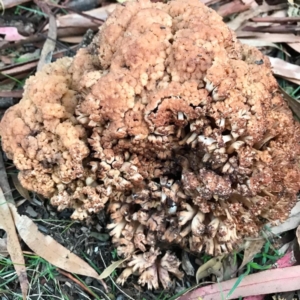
(169, 123)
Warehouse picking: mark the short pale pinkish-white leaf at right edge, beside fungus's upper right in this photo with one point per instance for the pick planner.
(283, 68)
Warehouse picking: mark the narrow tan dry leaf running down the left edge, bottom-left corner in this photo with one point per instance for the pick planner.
(13, 245)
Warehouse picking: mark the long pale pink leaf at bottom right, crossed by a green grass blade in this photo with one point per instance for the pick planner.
(262, 283)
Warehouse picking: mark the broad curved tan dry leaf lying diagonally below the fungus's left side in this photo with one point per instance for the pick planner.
(47, 248)
